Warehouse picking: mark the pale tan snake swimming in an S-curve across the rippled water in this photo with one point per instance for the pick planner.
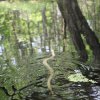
(50, 69)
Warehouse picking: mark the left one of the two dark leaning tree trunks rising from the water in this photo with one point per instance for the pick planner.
(75, 33)
